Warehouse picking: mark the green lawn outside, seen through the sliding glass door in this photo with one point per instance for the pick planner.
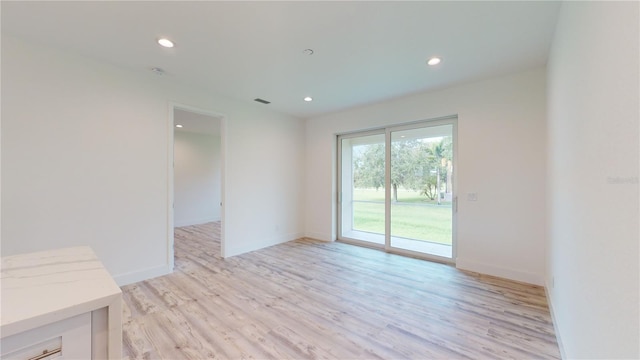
(411, 217)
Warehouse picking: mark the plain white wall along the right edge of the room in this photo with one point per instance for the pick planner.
(593, 179)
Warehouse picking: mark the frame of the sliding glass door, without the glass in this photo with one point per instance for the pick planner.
(387, 130)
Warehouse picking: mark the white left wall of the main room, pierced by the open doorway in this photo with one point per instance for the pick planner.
(85, 156)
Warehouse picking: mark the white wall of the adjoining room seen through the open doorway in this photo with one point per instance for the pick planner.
(196, 178)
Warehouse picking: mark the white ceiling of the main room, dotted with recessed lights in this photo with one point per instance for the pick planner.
(364, 52)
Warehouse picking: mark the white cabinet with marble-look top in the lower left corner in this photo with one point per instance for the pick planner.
(59, 304)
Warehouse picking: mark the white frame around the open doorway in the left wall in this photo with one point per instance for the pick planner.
(170, 175)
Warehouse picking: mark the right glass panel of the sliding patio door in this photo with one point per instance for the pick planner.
(421, 182)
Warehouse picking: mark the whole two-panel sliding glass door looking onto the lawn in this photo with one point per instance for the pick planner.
(396, 188)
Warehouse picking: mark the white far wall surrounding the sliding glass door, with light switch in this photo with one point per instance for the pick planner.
(501, 137)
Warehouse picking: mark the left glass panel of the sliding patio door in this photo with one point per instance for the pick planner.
(362, 188)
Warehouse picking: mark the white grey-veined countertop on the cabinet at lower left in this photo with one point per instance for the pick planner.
(43, 287)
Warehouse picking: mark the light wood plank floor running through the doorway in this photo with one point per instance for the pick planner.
(308, 299)
